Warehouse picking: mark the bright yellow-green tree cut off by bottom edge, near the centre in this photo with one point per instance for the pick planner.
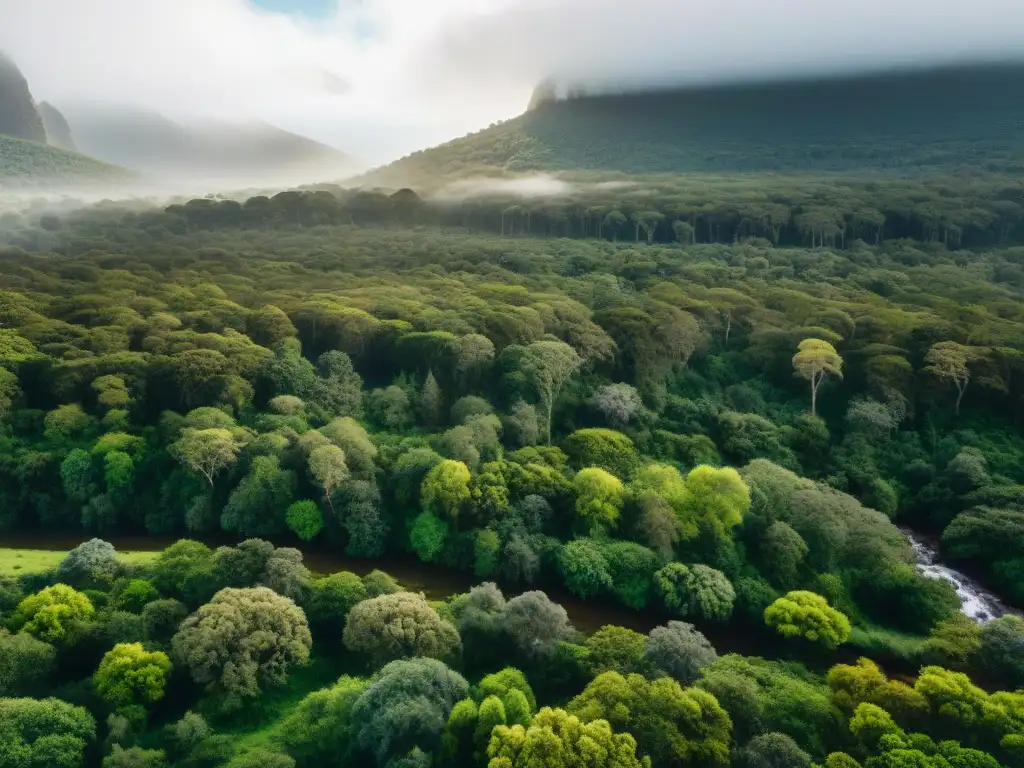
(558, 740)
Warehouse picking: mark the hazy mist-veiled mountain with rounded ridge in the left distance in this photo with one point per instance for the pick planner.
(153, 144)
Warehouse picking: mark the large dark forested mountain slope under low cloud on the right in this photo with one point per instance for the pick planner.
(905, 122)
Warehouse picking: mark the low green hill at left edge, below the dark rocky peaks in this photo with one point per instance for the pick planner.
(25, 162)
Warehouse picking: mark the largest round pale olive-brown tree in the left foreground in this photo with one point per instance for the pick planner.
(242, 642)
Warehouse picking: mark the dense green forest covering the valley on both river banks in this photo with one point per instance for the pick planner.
(714, 413)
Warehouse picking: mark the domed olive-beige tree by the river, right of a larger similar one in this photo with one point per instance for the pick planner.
(400, 626)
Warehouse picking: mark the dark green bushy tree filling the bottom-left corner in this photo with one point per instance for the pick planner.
(45, 733)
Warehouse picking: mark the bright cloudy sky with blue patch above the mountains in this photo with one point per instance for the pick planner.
(381, 78)
